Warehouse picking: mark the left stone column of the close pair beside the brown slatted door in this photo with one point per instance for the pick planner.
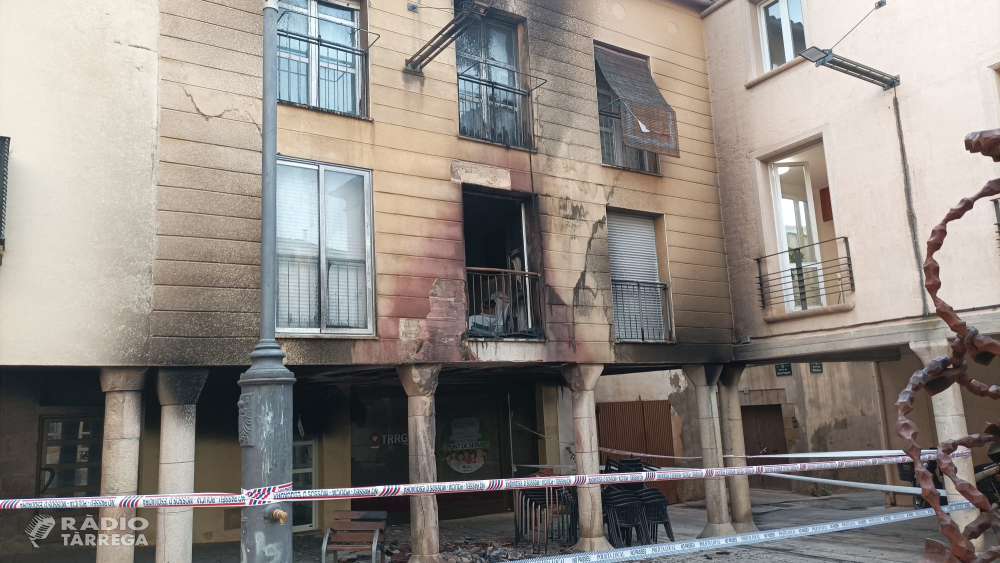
(704, 377)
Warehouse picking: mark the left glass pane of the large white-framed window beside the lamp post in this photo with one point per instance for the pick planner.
(298, 247)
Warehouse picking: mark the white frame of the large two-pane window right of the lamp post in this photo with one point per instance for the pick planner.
(369, 330)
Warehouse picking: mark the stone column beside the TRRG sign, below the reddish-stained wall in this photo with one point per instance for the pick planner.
(420, 382)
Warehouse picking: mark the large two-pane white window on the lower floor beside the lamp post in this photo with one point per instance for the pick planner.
(325, 277)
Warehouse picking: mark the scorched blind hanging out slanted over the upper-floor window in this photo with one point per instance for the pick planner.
(648, 122)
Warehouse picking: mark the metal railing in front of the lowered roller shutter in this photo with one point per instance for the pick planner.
(642, 311)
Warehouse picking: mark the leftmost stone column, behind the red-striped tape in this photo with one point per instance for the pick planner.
(120, 455)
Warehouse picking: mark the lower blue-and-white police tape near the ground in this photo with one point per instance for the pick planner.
(739, 540)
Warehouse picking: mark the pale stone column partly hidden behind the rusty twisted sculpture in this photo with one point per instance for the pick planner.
(949, 420)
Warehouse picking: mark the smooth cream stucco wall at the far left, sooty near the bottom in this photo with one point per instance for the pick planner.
(78, 98)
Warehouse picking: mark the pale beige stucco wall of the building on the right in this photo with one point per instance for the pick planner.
(944, 56)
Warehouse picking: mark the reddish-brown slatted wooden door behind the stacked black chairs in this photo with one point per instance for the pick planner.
(642, 427)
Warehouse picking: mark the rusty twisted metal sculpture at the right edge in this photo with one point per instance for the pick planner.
(939, 375)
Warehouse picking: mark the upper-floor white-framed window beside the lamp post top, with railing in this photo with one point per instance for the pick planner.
(321, 62)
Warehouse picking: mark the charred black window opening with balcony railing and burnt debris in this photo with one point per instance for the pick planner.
(502, 292)
